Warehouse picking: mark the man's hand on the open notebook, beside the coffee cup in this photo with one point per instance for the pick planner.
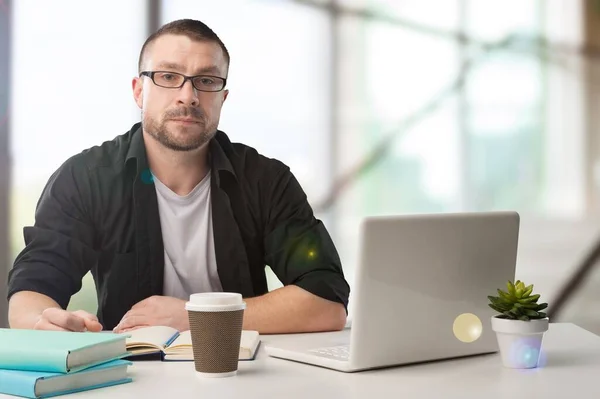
(155, 311)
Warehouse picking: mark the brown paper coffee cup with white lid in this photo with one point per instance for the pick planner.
(216, 320)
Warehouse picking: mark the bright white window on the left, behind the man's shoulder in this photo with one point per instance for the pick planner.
(72, 65)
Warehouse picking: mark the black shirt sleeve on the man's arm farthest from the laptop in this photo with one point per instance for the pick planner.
(58, 247)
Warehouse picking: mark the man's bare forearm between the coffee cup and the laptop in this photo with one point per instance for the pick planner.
(292, 309)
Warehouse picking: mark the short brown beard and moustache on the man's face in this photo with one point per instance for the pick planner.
(180, 137)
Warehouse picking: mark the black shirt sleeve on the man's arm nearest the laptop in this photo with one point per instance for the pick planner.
(298, 247)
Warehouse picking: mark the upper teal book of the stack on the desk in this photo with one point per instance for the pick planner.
(58, 351)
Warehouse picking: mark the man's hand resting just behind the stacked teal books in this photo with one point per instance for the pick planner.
(62, 320)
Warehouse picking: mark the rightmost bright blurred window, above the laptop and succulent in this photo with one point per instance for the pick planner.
(505, 111)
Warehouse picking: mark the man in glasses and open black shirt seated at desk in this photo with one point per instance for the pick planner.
(171, 208)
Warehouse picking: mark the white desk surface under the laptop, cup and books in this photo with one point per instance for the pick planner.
(571, 358)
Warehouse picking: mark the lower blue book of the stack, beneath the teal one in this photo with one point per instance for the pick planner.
(40, 384)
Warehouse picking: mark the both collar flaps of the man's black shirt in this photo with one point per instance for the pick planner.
(218, 146)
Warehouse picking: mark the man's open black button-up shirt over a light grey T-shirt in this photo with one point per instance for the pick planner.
(99, 212)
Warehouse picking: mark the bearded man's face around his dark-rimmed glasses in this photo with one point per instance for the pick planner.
(182, 119)
